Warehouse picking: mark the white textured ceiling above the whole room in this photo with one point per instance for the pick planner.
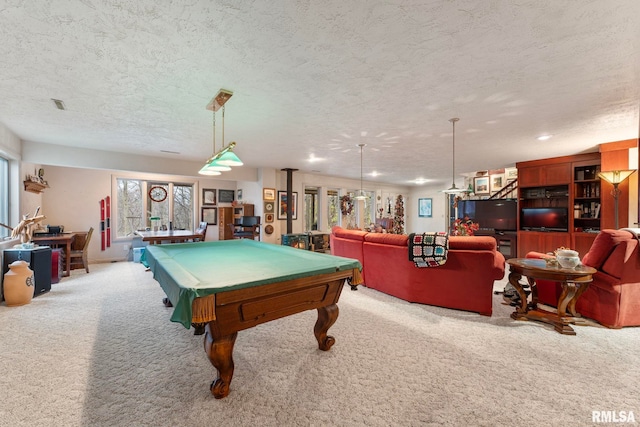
(317, 78)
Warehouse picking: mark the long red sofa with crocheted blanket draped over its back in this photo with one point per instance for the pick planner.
(464, 282)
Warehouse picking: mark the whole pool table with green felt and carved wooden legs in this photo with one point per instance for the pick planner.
(231, 285)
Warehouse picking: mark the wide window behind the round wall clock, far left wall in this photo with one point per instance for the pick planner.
(135, 207)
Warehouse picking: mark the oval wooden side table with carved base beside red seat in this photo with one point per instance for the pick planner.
(574, 282)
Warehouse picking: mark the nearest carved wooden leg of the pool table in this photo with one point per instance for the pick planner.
(219, 349)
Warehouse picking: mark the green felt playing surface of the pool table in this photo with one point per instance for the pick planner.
(191, 270)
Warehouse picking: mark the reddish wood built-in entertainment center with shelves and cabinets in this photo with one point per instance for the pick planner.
(571, 184)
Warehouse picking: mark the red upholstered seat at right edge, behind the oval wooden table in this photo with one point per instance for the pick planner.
(613, 298)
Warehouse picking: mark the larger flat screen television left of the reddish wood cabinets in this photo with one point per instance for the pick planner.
(500, 214)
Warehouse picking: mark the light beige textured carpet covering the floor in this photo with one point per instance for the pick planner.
(99, 350)
